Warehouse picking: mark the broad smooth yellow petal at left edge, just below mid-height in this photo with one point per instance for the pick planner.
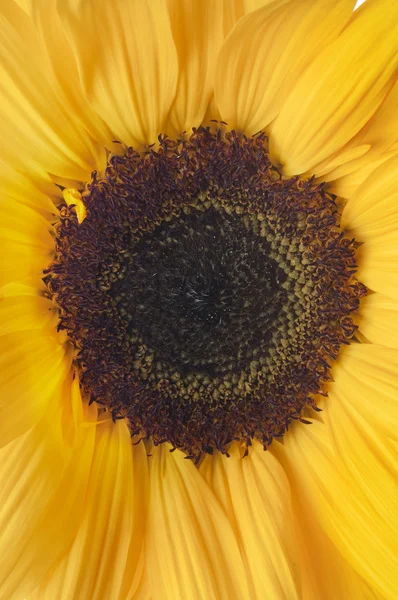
(32, 368)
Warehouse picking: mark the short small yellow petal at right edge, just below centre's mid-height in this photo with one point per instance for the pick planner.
(378, 320)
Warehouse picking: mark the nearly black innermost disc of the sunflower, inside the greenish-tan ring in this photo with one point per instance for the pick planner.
(201, 292)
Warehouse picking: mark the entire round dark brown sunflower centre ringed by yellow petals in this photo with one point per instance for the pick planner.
(205, 294)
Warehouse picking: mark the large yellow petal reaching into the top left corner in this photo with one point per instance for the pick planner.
(37, 131)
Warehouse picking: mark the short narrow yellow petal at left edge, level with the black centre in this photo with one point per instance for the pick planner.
(22, 313)
